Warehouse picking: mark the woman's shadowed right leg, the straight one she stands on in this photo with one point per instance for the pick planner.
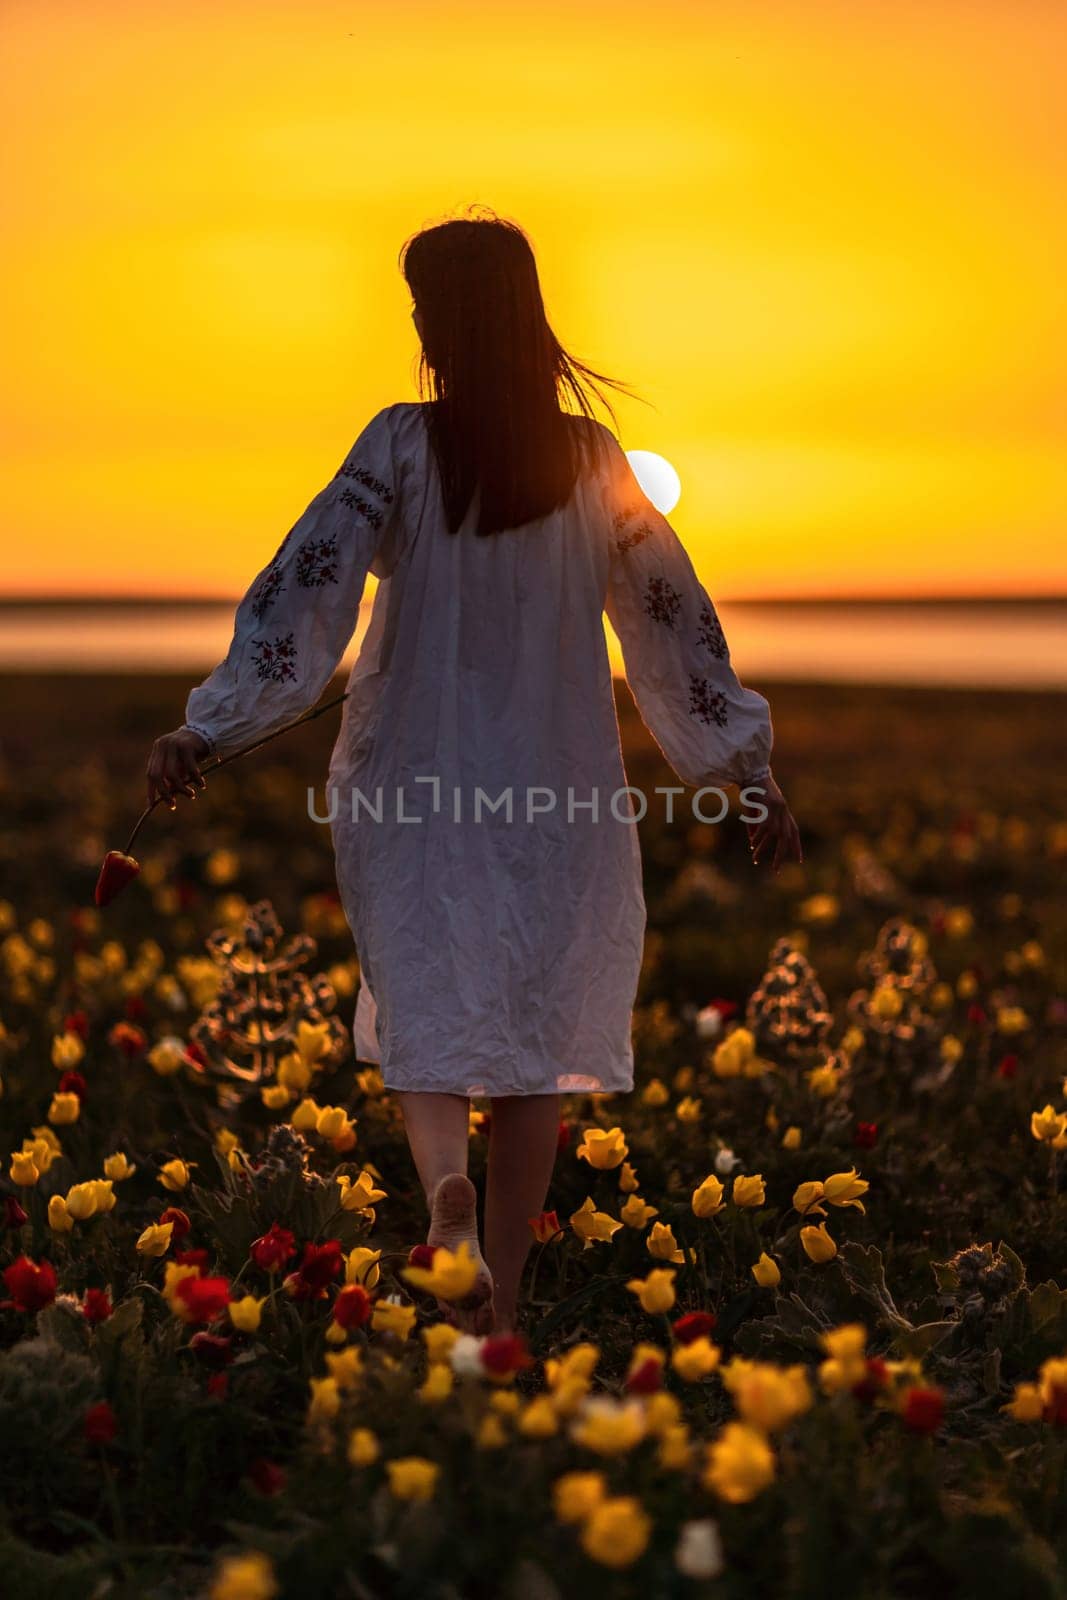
(524, 1137)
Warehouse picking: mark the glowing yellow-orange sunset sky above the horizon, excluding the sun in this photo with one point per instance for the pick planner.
(826, 239)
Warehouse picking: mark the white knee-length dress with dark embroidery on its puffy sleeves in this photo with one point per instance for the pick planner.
(500, 948)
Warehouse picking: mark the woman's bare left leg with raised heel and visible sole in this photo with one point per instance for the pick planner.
(438, 1127)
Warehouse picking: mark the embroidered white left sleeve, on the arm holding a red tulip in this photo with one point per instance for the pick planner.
(300, 614)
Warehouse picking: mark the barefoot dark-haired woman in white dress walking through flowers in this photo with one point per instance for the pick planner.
(500, 940)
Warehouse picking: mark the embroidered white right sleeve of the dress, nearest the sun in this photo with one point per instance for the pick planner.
(708, 724)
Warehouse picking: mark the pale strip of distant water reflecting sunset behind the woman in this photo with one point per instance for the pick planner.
(970, 644)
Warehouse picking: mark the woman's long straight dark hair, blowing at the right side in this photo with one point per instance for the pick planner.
(497, 375)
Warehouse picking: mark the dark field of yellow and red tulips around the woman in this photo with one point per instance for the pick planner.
(794, 1321)
